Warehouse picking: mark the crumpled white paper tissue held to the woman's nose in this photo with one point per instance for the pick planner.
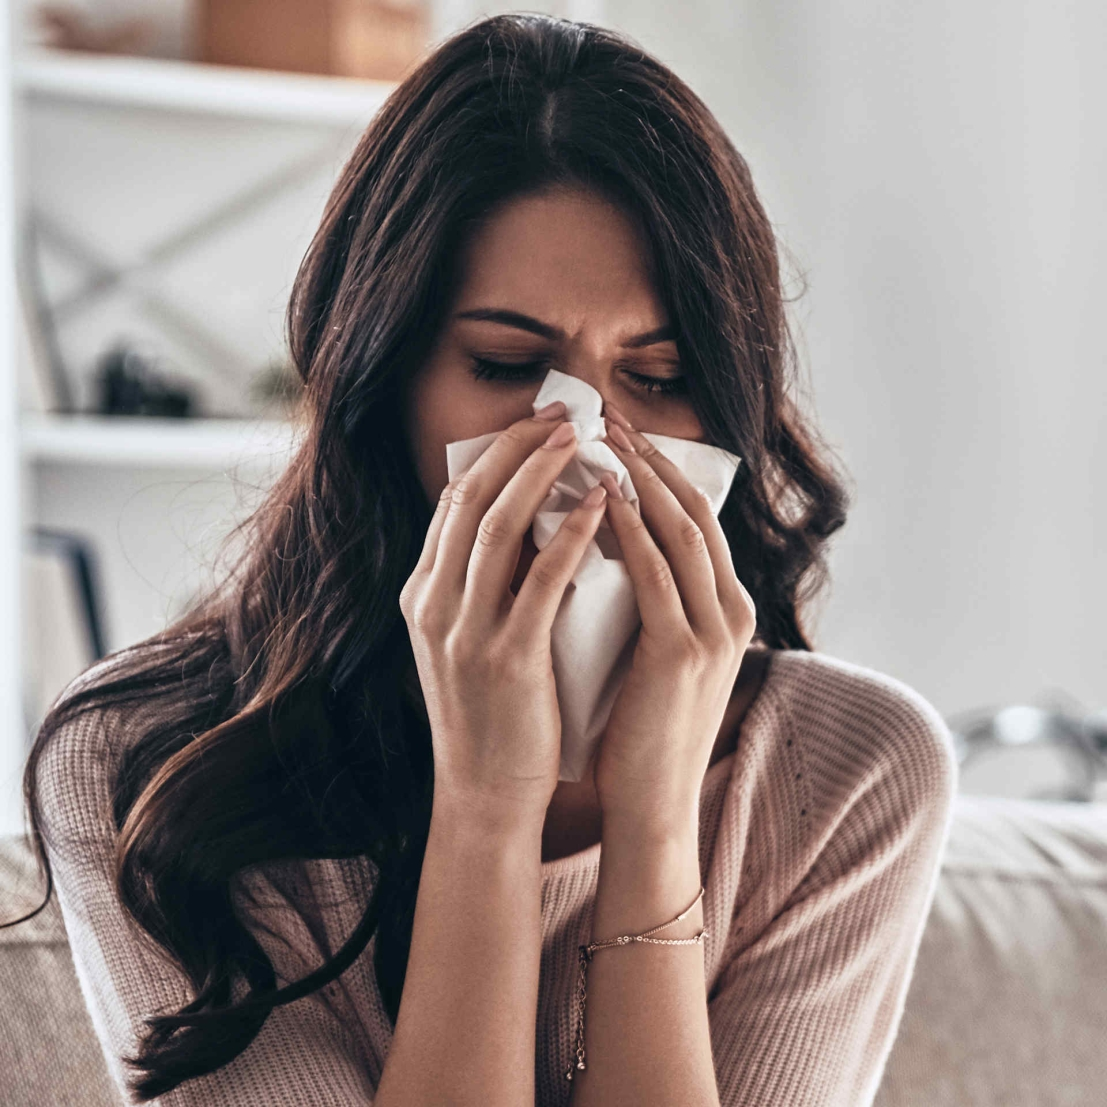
(597, 624)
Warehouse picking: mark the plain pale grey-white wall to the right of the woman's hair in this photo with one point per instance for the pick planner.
(939, 172)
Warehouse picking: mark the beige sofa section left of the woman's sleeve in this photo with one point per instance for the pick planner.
(49, 1052)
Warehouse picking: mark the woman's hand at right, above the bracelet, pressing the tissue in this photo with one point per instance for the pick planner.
(698, 620)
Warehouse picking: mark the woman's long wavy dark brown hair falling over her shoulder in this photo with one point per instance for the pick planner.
(282, 716)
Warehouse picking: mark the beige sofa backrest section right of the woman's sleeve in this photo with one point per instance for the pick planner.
(1009, 1000)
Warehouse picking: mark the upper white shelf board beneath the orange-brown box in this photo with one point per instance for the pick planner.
(194, 87)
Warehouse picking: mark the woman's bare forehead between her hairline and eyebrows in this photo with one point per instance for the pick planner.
(561, 256)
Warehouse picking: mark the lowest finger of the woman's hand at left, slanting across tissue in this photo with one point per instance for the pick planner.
(552, 571)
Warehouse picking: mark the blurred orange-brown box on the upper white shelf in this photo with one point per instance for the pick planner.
(376, 39)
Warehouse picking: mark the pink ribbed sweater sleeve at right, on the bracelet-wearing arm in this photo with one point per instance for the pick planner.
(805, 1010)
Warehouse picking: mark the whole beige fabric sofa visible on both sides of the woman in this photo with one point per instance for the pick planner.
(1008, 1006)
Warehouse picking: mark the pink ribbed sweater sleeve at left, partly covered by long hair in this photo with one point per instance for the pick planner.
(302, 1057)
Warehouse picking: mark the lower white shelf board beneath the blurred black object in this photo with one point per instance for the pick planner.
(142, 441)
